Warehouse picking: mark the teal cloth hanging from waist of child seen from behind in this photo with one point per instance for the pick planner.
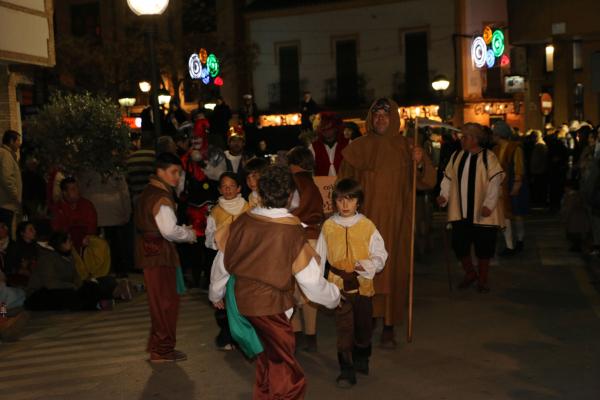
(241, 329)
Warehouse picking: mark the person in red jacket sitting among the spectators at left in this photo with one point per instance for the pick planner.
(74, 214)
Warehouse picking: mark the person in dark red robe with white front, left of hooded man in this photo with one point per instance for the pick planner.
(329, 145)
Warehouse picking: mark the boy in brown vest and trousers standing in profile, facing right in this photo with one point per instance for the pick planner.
(156, 230)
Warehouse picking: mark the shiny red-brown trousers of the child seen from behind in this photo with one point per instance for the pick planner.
(278, 374)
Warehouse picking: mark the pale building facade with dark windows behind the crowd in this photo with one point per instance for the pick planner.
(347, 53)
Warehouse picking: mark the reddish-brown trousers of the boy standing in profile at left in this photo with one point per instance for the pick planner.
(163, 302)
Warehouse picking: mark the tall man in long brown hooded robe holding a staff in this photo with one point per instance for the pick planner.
(381, 161)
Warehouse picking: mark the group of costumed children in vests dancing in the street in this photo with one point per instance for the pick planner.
(286, 259)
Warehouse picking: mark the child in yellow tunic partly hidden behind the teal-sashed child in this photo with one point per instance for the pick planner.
(231, 205)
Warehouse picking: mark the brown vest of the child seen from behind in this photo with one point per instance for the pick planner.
(261, 254)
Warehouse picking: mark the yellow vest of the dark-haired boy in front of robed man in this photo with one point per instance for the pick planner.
(345, 246)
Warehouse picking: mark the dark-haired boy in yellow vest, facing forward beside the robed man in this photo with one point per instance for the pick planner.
(356, 252)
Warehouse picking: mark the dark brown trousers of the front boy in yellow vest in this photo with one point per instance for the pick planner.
(354, 322)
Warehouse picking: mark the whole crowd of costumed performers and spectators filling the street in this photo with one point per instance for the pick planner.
(205, 206)
